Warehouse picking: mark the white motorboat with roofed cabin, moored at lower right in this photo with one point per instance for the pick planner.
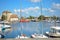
(54, 32)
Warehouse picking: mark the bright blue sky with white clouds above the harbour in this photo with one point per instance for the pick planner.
(31, 7)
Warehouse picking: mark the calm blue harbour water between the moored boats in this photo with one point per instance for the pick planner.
(28, 28)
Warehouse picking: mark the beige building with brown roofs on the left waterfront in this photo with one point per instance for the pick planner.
(10, 16)
